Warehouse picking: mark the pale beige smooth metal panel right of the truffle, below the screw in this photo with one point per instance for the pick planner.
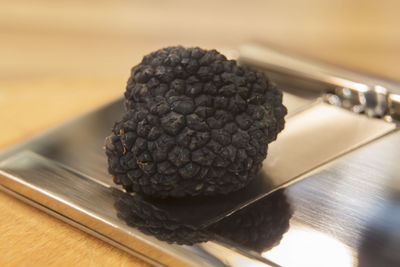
(317, 135)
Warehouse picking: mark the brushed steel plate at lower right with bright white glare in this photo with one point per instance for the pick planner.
(347, 212)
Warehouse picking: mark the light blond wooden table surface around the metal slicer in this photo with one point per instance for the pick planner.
(59, 59)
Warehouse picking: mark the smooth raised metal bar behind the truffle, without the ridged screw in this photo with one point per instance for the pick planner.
(303, 74)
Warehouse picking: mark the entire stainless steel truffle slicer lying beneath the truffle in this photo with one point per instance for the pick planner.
(335, 159)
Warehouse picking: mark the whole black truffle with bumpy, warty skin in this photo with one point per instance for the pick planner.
(196, 124)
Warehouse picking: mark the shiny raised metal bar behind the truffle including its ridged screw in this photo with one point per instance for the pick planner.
(373, 96)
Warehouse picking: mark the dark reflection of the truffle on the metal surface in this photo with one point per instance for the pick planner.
(258, 227)
